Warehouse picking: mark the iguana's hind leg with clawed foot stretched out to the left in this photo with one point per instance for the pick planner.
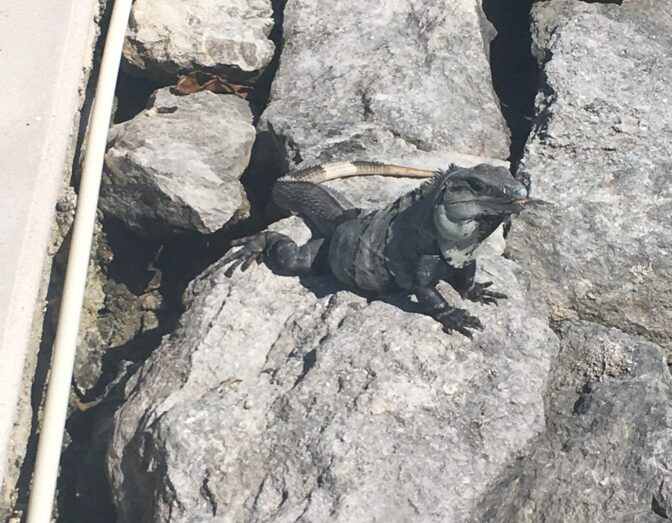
(279, 252)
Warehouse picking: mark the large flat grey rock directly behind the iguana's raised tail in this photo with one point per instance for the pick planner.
(362, 80)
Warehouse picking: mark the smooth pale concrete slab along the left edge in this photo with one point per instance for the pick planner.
(46, 50)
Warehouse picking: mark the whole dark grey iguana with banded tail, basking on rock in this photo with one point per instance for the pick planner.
(427, 235)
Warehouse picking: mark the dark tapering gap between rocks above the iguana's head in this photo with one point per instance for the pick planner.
(515, 73)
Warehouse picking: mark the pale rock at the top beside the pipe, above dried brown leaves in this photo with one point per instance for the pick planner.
(225, 37)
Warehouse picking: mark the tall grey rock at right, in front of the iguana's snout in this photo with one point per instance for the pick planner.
(600, 154)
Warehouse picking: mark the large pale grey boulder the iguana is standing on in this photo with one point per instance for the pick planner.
(280, 400)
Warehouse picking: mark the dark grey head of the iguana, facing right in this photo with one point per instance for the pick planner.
(476, 199)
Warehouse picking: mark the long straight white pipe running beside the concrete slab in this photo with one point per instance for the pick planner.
(65, 344)
